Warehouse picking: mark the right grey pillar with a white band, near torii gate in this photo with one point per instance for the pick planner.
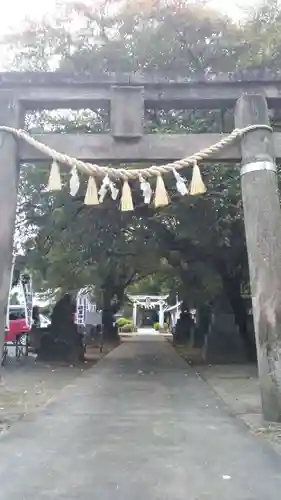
(263, 235)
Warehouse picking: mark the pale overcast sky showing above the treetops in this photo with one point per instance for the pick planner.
(14, 11)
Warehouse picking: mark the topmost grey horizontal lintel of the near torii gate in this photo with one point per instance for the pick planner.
(55, 89)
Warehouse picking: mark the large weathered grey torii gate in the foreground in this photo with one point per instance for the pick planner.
(127, 96)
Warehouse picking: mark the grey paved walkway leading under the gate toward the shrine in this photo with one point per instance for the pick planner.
(138, 426)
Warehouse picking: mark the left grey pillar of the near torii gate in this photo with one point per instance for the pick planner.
(9, 175)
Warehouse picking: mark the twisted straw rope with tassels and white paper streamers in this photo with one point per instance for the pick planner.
(110, 174)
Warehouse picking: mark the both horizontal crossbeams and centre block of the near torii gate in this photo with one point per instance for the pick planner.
(127, 96)
